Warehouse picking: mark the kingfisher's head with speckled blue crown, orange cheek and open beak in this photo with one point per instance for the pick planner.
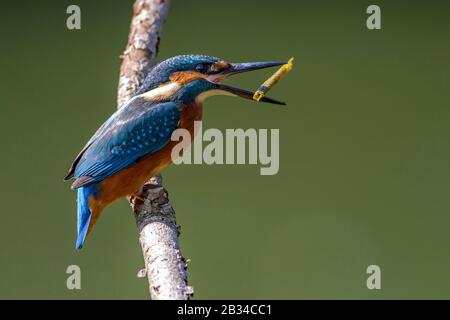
(192, 78)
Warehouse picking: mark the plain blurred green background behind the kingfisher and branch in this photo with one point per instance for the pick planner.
(364, 151)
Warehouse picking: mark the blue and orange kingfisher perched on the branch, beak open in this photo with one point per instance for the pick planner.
(135, 143)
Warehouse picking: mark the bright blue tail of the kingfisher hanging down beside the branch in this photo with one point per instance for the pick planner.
(84, 212)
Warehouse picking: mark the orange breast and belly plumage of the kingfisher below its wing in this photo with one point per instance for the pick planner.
(131, 179)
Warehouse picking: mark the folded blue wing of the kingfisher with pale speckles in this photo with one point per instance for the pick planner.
(136, 130)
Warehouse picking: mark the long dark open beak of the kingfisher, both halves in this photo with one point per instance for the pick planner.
(236, 68)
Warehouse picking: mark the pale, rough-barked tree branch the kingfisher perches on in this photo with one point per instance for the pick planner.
(165, 267)
